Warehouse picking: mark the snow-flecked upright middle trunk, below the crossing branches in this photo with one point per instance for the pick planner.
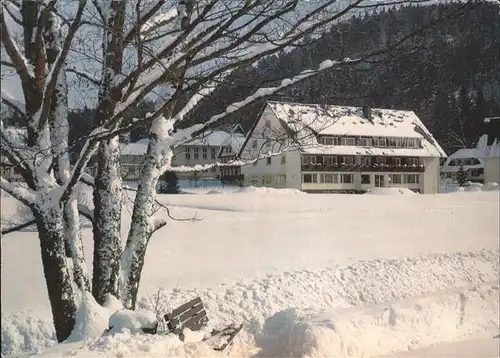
(107, 222)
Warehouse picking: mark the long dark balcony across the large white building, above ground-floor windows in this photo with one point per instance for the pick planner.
(374, 167)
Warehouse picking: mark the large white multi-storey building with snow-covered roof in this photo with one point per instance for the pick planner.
(338, 149)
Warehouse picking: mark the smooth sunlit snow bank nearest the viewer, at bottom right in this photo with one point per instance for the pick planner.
(383, 329)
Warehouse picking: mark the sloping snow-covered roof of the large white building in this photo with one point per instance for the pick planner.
(350, 121)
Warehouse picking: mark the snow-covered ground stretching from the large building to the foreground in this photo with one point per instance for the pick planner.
(308, 275)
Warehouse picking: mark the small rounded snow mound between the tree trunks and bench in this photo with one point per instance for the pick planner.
(131, 321)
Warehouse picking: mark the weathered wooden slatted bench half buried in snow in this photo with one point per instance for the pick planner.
(192, 315)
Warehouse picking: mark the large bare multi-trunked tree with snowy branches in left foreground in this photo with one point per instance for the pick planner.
(174, 52)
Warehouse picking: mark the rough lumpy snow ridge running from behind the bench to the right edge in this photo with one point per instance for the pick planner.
(364, 283)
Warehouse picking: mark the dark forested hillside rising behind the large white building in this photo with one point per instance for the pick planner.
(448, 74)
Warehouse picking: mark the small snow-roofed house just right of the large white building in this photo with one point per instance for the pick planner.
(469, 161)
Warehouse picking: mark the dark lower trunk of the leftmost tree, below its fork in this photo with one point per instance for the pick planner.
(58, 276)
